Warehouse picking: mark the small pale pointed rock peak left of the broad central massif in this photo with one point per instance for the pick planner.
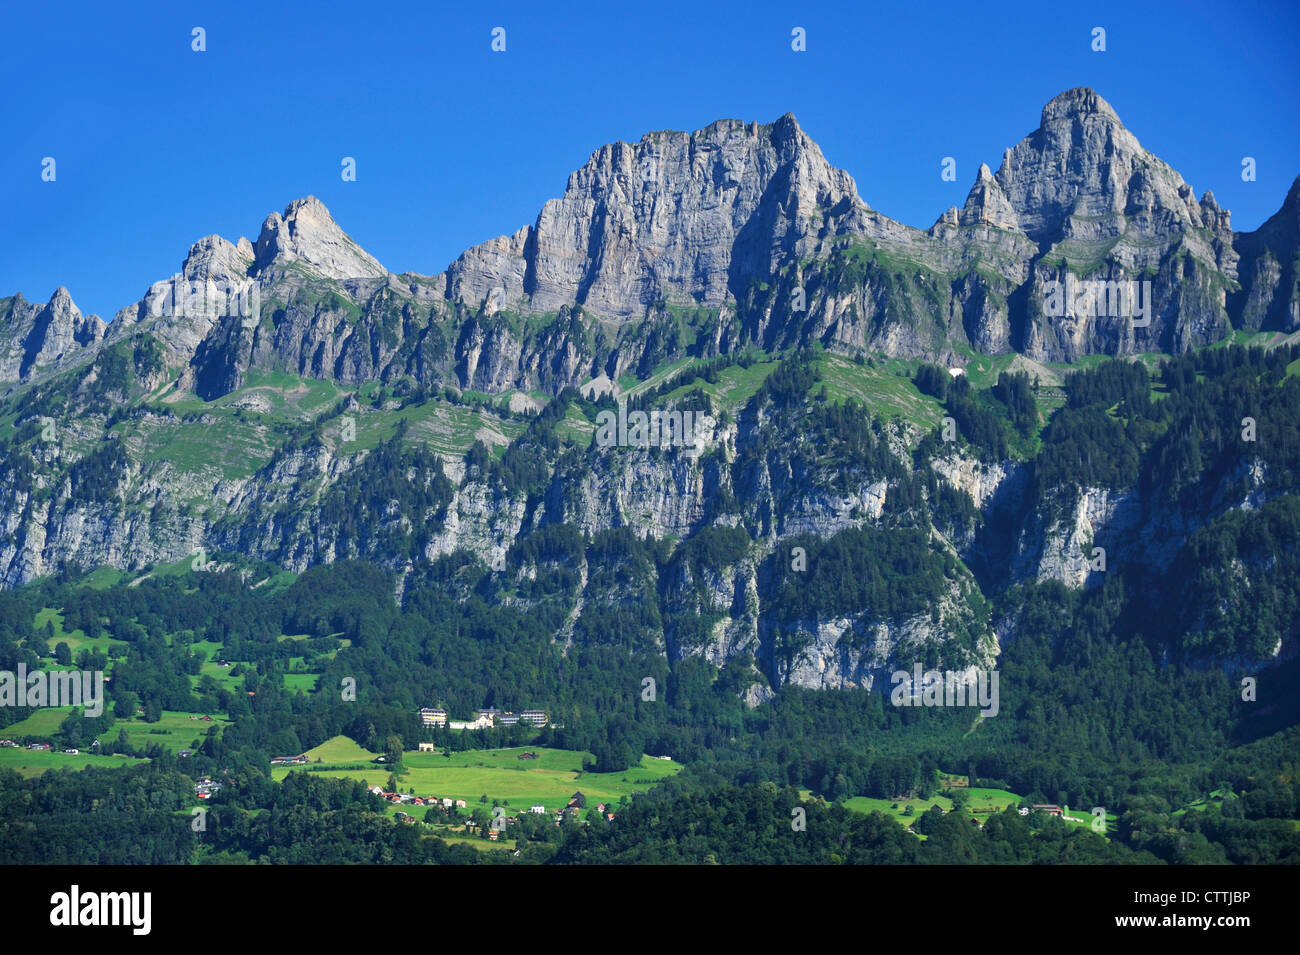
(307, 233)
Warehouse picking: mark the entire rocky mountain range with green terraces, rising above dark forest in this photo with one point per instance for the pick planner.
(402, 419)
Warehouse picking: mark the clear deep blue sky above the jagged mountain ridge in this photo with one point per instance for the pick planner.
(158, 146)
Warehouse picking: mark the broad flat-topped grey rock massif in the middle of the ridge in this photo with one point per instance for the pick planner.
(683, 218)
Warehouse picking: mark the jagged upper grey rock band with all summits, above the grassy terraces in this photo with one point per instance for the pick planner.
(733, 236)
